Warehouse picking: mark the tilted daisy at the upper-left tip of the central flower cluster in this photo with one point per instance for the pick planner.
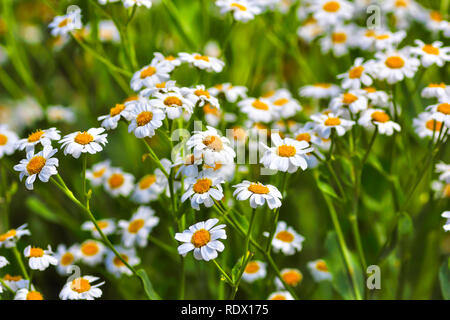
(156, 72)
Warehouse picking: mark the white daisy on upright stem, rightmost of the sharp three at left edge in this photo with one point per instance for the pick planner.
(90, 141)
